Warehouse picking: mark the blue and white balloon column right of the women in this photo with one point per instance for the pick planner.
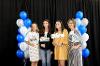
(81, 24)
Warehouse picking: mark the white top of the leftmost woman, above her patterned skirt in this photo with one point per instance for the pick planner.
(33, 37)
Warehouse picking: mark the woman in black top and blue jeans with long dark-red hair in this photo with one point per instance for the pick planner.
(45, 44)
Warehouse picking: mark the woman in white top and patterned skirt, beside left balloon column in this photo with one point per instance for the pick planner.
(32, 39)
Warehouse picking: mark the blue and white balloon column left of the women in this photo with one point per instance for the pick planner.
(23, 24)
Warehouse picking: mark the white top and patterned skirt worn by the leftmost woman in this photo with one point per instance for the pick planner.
(33, 50)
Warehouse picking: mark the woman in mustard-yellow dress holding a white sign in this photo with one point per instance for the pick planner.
(60, 42)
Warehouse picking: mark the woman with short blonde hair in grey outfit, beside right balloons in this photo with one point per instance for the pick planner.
(75, 51)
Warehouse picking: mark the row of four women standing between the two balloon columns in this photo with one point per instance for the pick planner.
(65, 48)
